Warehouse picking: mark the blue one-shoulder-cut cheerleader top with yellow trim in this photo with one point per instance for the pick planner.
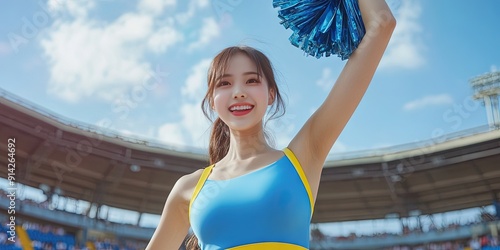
(268, 208)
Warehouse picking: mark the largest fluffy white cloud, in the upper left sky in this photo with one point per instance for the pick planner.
(90, 58)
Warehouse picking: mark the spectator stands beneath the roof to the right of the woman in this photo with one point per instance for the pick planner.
(480, 234)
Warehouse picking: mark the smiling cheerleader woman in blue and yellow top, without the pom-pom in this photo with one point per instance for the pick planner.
(254, 196)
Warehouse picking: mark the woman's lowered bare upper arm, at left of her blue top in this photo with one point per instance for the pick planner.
(174, 222)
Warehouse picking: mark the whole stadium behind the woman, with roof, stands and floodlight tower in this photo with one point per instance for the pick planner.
(70, 162)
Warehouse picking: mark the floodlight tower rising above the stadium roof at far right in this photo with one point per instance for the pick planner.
(487, 87)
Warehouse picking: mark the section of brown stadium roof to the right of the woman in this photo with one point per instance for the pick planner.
(439, 176)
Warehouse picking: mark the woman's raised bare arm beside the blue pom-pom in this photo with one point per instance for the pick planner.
(316, 138)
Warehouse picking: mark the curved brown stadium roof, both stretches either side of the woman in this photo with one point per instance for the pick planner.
(91, 164)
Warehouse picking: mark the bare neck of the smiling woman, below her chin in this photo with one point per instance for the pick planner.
(247, 144)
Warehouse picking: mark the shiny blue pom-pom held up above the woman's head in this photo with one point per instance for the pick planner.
(323, 27)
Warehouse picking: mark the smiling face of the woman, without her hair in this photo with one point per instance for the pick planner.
(241, 96)
